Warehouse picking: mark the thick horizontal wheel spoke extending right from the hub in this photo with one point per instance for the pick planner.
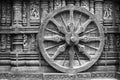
(89, 39)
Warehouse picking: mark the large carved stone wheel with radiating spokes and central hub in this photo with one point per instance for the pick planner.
(71, 39)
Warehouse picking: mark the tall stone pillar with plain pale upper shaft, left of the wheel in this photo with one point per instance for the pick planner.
(17, 42)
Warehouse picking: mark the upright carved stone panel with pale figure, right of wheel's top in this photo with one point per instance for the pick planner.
(108, 13)
